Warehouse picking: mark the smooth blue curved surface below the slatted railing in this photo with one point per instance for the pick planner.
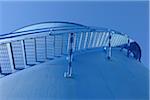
(94, 77)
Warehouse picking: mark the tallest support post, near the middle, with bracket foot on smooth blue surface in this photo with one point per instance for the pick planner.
(68, 74)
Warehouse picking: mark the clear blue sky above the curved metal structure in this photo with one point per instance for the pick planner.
(126, 16)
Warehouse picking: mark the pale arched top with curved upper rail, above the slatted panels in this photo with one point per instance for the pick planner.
(55, 26)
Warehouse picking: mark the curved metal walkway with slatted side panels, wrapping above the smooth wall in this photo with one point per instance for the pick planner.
(36, 43)
